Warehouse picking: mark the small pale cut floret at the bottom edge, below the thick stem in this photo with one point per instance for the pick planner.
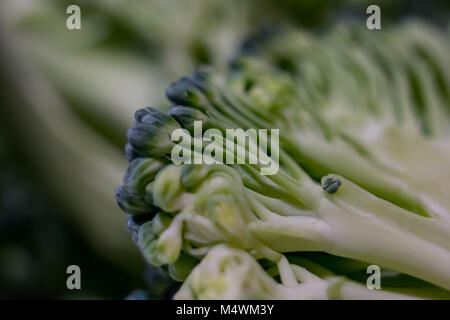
(229, 273)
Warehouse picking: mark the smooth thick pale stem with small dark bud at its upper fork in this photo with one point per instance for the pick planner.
(353, 223)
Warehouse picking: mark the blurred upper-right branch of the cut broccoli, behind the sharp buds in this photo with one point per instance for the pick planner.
(371, 126)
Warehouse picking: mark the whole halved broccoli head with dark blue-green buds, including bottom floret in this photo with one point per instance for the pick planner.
(359, 177)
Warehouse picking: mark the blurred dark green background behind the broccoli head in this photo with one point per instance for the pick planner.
(67, 99)
